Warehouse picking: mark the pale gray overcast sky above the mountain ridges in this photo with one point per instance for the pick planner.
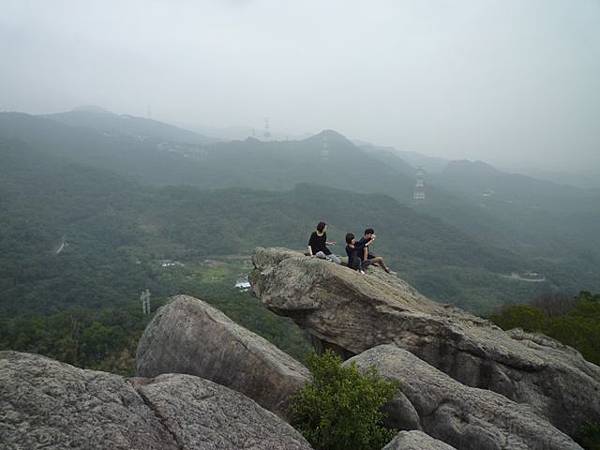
(511, 82)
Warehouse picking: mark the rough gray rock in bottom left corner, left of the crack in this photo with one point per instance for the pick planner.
(50, 405)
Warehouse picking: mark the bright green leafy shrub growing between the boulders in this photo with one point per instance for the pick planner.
(341, 407)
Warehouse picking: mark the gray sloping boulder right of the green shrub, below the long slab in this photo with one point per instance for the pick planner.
(465, 417)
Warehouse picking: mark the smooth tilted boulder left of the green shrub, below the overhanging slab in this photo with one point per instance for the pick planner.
(191, 337)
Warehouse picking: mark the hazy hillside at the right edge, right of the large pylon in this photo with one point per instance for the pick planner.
(553, 224)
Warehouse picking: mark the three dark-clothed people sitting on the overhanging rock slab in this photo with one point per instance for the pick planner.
(359, 252)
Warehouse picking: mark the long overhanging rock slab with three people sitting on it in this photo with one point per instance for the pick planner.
(353, 313)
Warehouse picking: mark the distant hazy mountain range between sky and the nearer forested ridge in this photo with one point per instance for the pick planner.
(551, 227)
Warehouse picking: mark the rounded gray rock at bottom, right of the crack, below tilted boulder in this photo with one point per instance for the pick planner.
(211, 416)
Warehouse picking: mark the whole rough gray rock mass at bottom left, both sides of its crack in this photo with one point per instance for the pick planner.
(52, 405)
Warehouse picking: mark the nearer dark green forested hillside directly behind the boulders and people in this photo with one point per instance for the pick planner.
(78, 245)
